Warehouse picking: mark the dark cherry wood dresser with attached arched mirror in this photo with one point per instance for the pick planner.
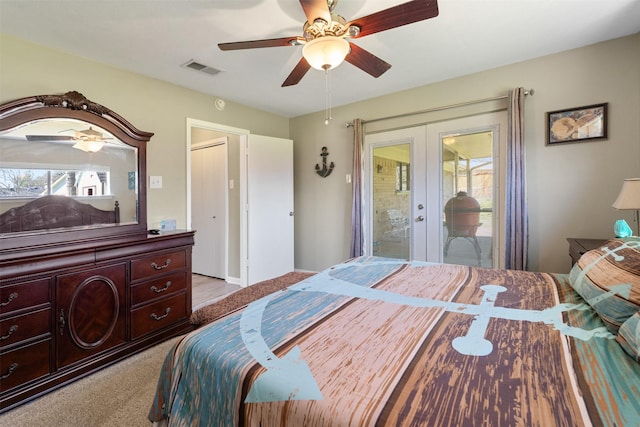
(82, 284)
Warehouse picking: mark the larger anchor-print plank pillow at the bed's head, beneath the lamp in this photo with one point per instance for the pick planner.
(608, 278)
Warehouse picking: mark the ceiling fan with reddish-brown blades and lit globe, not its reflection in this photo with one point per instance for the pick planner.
(325, 35)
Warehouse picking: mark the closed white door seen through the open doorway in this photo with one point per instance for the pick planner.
(209, 207)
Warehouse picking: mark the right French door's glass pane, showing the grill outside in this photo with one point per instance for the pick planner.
(467, 191)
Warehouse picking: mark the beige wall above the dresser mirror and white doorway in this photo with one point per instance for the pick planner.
(151, 105)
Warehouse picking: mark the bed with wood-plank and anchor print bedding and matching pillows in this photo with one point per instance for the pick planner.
(376, 341)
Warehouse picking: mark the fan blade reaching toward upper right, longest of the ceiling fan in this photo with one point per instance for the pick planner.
(396, 16)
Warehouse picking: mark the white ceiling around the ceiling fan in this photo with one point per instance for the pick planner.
(155, 38)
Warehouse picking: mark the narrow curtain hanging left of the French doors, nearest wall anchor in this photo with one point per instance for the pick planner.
(357, 240)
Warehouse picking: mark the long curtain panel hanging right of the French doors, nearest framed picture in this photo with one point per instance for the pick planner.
(517, 237)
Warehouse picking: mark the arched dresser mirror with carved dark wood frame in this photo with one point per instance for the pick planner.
(69, 166)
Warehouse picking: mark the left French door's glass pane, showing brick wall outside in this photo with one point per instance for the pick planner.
(391, 201)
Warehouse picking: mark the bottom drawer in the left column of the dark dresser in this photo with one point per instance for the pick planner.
(24, 364)
